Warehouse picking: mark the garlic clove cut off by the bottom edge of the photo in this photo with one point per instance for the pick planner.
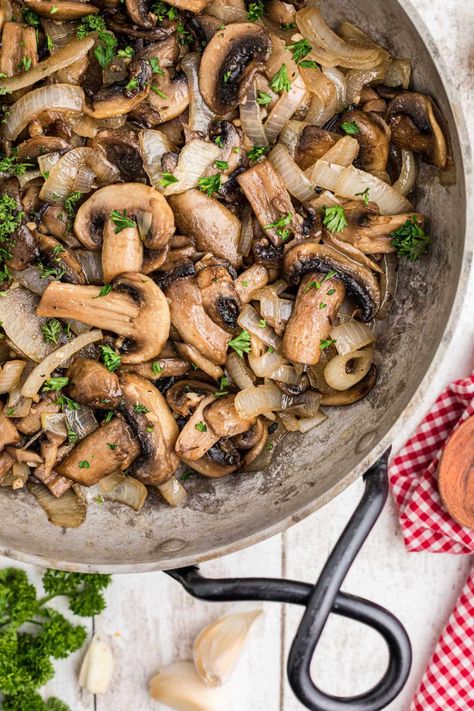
(180, 687)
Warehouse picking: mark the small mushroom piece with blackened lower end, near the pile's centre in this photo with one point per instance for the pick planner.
(219, 296)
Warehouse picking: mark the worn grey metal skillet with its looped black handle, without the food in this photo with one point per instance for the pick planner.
(223, 516)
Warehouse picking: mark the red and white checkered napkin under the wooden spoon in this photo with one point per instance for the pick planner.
(448, 682)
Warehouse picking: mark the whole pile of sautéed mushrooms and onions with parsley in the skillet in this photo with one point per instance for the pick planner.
(203, 207)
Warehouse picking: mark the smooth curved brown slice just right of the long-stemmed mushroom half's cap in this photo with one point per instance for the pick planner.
(193, 324)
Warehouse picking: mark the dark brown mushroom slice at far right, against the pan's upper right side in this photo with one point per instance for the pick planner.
(415, 126)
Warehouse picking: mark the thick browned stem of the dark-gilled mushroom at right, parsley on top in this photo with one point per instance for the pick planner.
(316, 306)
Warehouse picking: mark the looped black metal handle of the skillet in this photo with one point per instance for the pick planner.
(322, 599)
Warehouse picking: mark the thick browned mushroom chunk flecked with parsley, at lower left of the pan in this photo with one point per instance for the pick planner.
(102, 452)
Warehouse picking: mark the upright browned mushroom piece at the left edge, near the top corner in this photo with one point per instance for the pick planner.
(18, 52)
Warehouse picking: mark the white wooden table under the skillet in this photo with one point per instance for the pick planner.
(151, 621)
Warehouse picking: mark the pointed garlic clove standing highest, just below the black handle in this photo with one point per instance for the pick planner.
(218, 647)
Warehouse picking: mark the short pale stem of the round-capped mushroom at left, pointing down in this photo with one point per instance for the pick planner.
(121, 252)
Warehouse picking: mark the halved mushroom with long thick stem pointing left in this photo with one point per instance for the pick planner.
(136, 309)
